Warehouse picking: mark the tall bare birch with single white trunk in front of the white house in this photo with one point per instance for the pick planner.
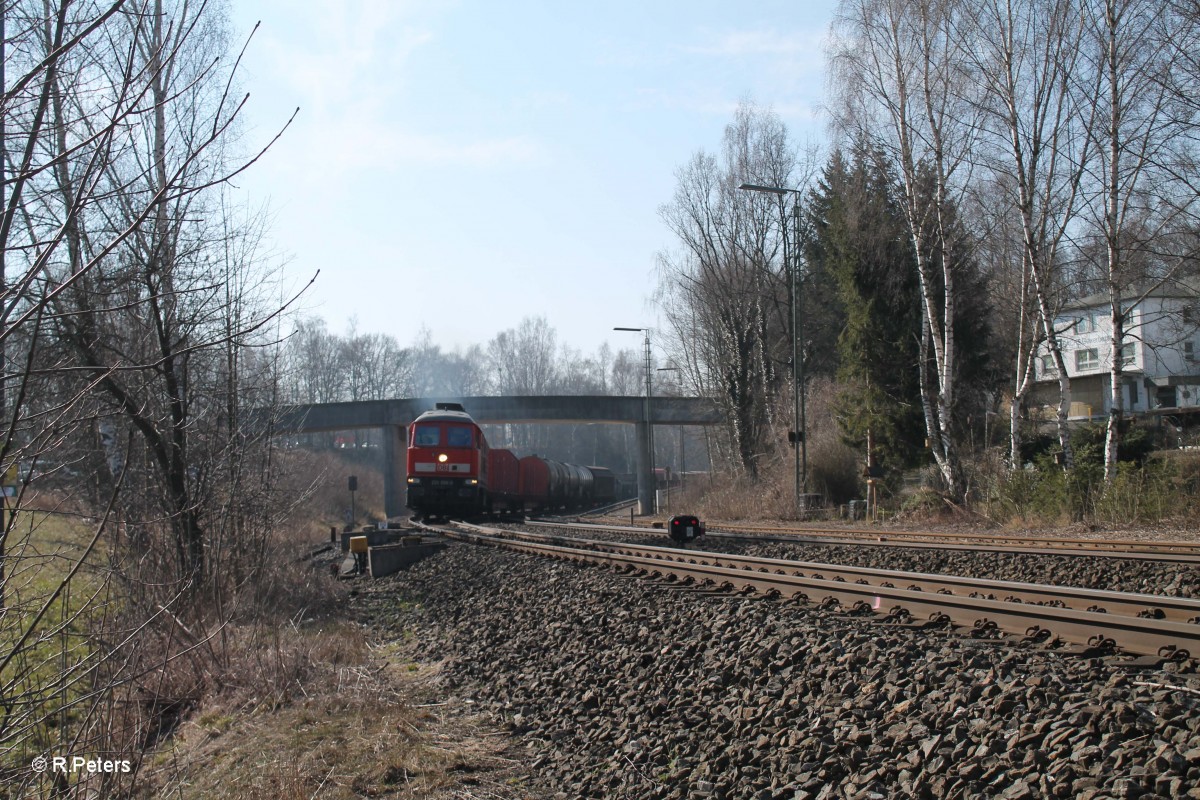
(1131, 199)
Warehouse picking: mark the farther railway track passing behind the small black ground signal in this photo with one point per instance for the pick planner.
(1177, 552)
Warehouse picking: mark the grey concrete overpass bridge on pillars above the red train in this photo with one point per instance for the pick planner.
(394, 417)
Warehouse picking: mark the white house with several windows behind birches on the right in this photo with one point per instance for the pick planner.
(1160, 357)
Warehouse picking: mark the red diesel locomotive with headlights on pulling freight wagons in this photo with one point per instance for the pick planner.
(454, 473)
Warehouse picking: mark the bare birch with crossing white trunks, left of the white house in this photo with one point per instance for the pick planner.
(1028, 53)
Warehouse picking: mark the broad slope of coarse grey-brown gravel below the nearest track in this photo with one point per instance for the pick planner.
(622, 689)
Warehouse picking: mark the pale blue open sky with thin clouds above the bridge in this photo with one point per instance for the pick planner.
(461, 165)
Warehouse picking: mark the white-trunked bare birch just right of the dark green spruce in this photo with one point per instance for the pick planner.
(904, 82)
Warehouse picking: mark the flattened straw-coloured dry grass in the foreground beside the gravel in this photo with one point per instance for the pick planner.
(364, 723)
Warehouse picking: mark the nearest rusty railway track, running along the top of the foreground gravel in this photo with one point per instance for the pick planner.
(1089, 622)
